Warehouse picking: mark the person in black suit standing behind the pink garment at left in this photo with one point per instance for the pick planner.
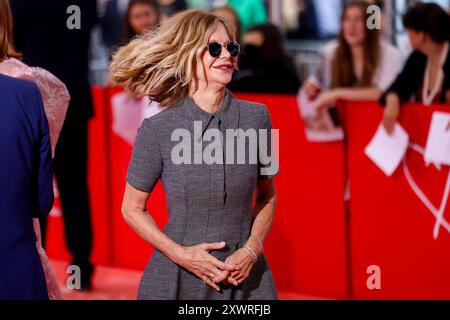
(45, 35)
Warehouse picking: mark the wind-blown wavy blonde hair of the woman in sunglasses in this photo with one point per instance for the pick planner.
(163, 64)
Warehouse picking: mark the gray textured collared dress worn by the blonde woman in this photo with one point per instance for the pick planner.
(206, 202)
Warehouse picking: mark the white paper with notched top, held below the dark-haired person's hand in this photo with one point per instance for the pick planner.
(387, 151)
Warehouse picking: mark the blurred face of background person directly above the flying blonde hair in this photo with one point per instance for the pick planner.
(141, 16)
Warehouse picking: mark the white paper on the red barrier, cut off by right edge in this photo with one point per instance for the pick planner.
(437, 150)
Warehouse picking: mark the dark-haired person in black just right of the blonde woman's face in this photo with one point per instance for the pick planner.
(264, 65)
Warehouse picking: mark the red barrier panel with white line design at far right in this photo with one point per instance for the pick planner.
(390, 227)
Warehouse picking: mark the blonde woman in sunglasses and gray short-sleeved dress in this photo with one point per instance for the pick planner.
(212, 246)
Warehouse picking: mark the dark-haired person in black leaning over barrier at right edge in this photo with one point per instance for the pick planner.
(426, 75)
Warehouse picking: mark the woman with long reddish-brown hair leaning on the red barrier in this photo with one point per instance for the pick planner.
(358, 66)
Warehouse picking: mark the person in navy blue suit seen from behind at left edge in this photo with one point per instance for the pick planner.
(26, 186)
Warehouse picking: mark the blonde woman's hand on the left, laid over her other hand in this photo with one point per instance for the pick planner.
(200, 262)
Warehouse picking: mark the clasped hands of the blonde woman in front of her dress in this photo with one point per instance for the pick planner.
(235, 270)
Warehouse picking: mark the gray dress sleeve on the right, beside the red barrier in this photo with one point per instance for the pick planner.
(267, 148)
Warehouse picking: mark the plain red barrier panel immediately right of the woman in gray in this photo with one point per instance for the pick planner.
(306, 246)
